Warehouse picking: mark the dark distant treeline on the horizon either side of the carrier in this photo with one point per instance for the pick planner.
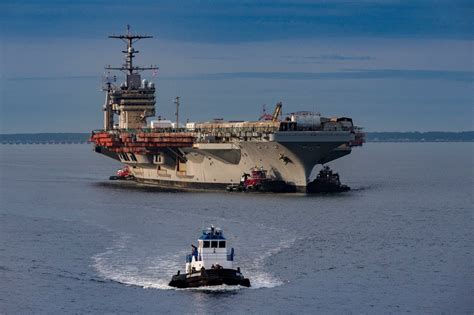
(64, 138)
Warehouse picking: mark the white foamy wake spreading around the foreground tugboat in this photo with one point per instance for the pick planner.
(122, 264)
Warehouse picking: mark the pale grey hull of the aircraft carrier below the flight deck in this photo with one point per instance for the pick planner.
(214, 166)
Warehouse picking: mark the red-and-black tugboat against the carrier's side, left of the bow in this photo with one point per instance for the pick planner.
(258, 180)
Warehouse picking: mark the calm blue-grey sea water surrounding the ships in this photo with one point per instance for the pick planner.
(400, 241)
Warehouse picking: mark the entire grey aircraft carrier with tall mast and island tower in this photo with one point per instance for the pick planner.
(212, 155)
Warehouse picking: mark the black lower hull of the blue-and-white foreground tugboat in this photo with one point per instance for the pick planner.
(209, 277)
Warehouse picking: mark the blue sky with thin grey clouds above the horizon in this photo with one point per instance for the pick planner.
(390, 65)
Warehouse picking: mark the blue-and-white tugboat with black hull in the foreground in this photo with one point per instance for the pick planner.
(210, 263)
